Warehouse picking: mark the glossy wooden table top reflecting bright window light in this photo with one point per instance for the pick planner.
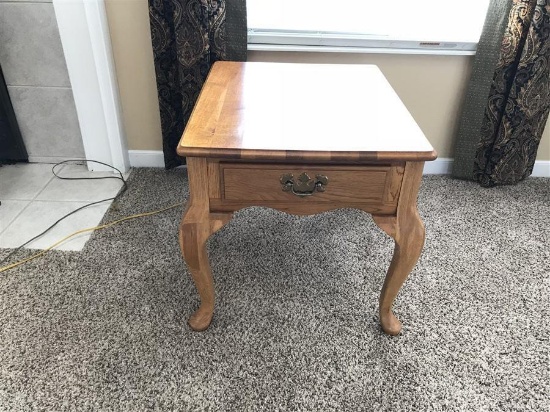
(303, 112)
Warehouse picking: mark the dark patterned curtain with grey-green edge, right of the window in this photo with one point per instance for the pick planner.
(502, 147)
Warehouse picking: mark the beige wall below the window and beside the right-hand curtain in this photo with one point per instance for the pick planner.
(432, 88)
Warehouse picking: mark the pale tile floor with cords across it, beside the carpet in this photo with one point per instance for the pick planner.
(33, 198)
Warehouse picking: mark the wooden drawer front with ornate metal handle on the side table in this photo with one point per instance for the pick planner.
(302, 183)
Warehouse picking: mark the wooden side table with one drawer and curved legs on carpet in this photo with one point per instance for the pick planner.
(303, 139)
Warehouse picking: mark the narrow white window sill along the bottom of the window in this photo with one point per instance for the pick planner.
(366, 50)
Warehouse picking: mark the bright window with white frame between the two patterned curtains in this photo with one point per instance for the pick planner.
(420, 26)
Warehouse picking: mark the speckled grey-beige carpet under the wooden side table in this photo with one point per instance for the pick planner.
(296, 323)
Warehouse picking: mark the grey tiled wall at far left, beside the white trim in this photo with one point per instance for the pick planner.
(38, 83)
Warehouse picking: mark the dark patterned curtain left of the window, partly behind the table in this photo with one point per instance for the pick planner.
(188, 37)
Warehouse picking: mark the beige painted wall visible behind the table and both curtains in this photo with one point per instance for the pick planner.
(432, 87)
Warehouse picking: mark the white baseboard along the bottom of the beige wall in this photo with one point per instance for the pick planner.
(442, 166)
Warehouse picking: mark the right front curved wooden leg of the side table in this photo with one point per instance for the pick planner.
(408, 232)
